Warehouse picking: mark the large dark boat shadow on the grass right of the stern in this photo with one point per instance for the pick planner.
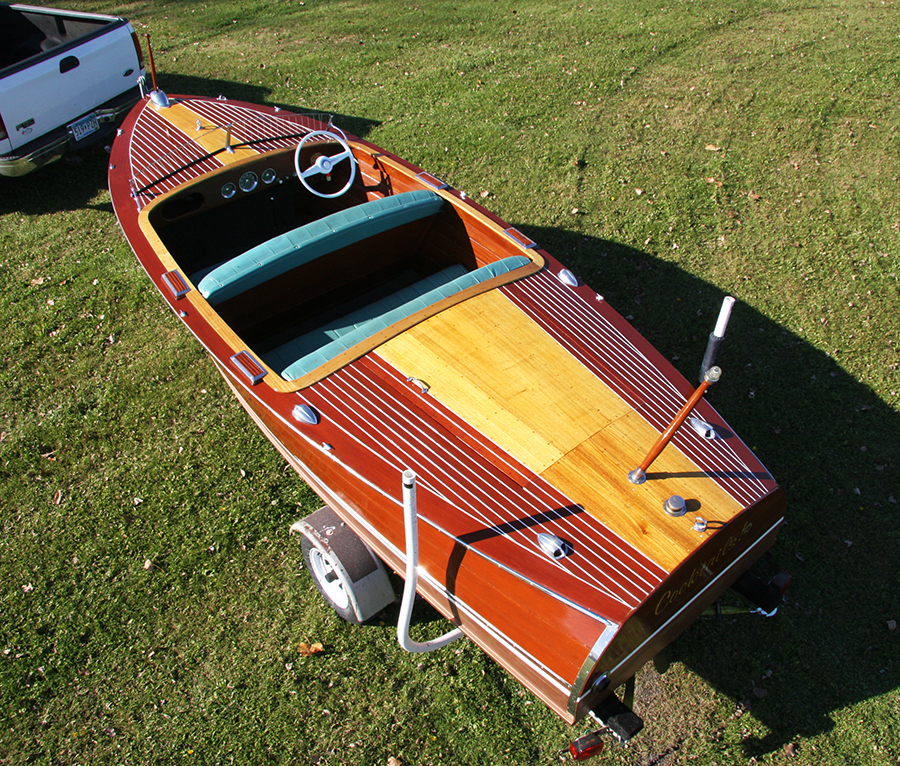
(832, 444)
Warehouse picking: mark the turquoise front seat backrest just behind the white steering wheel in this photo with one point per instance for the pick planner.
(306, 243)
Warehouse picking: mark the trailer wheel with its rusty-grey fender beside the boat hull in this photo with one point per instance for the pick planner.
(350, 577)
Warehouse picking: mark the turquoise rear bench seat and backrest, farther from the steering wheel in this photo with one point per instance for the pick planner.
(308, 353)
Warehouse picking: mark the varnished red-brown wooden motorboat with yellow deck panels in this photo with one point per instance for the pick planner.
(370, 319)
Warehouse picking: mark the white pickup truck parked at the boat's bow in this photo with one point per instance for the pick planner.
(67, 79)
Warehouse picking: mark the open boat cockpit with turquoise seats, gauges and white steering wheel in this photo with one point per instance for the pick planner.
(309, 277)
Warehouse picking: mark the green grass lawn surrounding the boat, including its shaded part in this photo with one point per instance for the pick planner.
(152, 603)
